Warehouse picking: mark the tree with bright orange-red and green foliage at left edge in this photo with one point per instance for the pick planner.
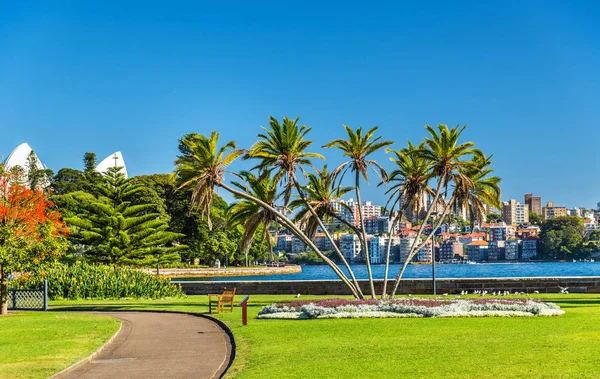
(31, 231)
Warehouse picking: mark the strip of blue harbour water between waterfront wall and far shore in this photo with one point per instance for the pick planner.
(482, 270)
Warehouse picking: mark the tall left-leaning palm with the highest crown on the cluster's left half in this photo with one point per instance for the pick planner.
(282, 151)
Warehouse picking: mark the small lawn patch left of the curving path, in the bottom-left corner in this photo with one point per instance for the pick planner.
(39, 344)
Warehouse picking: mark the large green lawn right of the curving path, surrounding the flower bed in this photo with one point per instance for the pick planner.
(551, 347)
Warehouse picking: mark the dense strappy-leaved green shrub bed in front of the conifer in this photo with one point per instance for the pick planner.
(83, 281)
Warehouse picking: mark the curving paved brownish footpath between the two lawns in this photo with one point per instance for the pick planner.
(160, 345)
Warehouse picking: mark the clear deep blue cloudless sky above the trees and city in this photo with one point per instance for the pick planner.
(79, 76)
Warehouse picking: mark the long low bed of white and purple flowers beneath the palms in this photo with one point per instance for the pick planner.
(413, 307)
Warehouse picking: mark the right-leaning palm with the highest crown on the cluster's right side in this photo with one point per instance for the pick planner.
(448, 159)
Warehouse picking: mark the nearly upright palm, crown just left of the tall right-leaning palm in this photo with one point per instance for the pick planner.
(408, 186)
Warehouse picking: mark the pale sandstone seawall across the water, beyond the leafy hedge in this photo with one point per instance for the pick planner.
(229, 271)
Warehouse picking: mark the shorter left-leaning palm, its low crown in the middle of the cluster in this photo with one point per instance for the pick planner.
(320, 192)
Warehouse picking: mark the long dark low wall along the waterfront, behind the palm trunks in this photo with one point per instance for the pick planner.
(407, 286)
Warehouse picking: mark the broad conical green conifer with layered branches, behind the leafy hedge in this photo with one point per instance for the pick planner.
(113, 231)
